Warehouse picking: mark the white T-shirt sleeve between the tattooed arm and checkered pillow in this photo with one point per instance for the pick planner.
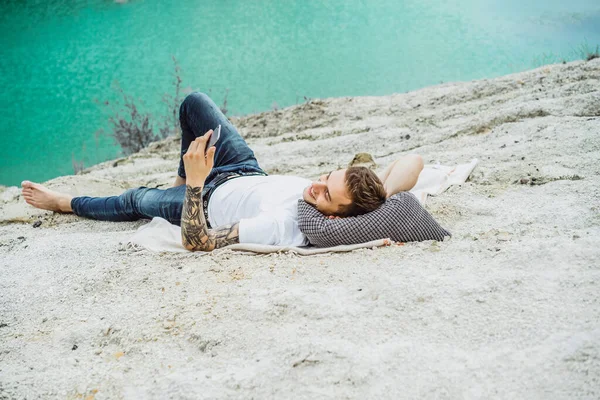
(272, 228)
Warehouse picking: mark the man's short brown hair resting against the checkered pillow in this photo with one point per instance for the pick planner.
(366, 192)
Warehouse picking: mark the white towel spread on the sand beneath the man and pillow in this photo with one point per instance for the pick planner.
(161, 236)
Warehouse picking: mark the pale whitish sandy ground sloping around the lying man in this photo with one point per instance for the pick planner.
(508, 308)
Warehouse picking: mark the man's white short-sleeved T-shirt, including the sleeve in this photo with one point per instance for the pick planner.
(265, 206)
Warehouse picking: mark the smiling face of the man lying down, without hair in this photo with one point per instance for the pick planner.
(328, 193)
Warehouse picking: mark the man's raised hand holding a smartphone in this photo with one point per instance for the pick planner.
(200, 157)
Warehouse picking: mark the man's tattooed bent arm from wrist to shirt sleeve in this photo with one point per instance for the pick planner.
(195, 235)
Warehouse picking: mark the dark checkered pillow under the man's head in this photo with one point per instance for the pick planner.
(401, 218)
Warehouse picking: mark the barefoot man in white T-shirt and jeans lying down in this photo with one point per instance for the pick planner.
(221, 196)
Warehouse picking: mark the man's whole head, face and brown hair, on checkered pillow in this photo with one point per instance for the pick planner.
(346, 192)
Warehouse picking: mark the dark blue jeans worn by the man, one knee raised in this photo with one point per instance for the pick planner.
(197, 115)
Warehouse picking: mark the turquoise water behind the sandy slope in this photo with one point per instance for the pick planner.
(58, 56)
